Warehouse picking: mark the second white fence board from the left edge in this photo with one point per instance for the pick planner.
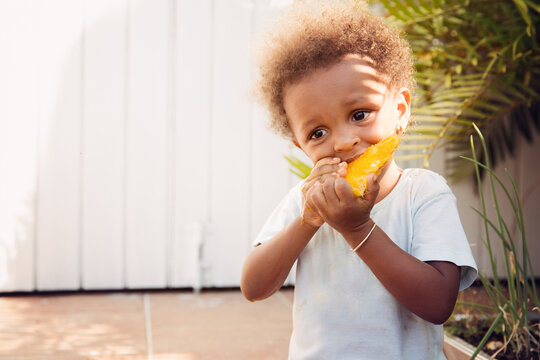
(59, 145)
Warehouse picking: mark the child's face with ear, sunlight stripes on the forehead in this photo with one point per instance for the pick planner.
(341, 110)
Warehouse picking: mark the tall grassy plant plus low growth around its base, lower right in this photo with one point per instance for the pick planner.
(512, 315)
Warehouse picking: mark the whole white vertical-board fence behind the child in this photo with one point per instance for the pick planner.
(130, 153)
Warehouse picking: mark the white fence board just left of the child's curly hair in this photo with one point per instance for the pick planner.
(230, 141)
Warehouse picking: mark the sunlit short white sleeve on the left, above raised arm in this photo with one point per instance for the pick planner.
(286, 211)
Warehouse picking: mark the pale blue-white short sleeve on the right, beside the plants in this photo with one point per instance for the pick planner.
(438, 234)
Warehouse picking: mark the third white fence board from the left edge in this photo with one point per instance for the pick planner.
(104, 117)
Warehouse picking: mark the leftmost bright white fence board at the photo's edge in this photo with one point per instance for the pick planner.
(18, 132)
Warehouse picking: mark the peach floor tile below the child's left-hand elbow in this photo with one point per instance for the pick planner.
(221, 325)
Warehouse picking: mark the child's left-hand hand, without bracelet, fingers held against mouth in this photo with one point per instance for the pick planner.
(323, 169)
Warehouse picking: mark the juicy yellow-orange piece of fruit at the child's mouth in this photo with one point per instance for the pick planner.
(369, 162)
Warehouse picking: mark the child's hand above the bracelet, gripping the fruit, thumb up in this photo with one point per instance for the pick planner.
(335, 203)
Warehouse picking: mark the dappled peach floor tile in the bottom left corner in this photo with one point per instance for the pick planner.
(72, 326)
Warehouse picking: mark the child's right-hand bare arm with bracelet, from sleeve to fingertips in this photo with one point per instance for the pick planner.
(428, 289)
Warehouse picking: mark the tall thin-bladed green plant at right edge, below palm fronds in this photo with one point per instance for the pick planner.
(512, 306)
